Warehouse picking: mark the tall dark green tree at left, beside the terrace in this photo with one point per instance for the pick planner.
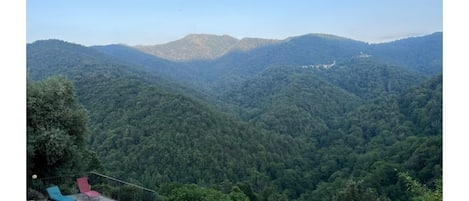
(56, 128)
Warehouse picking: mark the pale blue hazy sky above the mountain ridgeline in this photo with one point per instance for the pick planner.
(134, 22)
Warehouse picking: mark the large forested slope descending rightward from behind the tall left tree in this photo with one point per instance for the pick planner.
(143, 128)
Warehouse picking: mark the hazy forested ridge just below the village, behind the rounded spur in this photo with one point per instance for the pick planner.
(368, 78)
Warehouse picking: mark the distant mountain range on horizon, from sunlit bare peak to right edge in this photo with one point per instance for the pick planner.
(246, 58)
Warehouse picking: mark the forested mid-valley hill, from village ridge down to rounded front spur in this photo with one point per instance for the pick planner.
(301, 100)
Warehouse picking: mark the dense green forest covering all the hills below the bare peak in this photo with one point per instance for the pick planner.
(361, 129)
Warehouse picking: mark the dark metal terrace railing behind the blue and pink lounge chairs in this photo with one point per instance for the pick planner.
(108, 186)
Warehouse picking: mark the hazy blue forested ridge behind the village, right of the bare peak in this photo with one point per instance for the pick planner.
(312, 49)
